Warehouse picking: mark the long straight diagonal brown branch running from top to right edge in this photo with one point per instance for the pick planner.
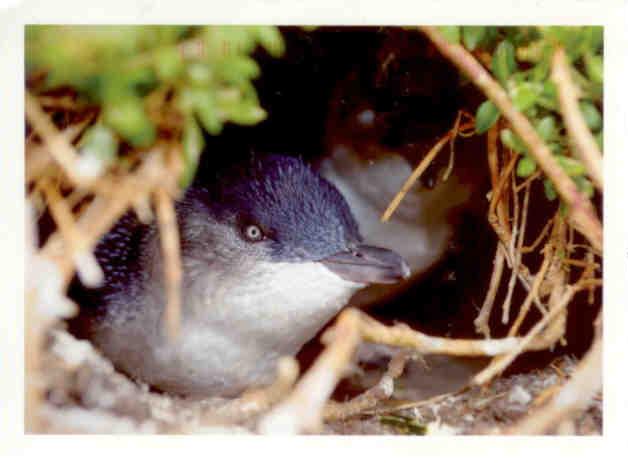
(582, 213)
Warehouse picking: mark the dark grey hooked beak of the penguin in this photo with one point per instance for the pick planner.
(368, 264)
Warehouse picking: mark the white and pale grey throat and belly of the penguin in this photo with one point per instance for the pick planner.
(233, 332)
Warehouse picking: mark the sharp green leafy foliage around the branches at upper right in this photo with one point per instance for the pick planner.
(520, 59)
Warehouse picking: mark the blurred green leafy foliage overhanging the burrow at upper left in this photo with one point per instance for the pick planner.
(207, 70)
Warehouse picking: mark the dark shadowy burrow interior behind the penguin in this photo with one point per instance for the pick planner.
(373, 91)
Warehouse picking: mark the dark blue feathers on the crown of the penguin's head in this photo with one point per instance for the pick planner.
(303, 216)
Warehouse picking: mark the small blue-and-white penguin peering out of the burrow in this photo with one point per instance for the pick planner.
(270, 253)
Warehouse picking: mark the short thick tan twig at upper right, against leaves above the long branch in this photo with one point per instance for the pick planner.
(585, 146)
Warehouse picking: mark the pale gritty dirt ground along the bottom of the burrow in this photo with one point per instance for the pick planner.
(85, 394)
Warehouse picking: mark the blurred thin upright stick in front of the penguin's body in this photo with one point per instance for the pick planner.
(170, 246)
